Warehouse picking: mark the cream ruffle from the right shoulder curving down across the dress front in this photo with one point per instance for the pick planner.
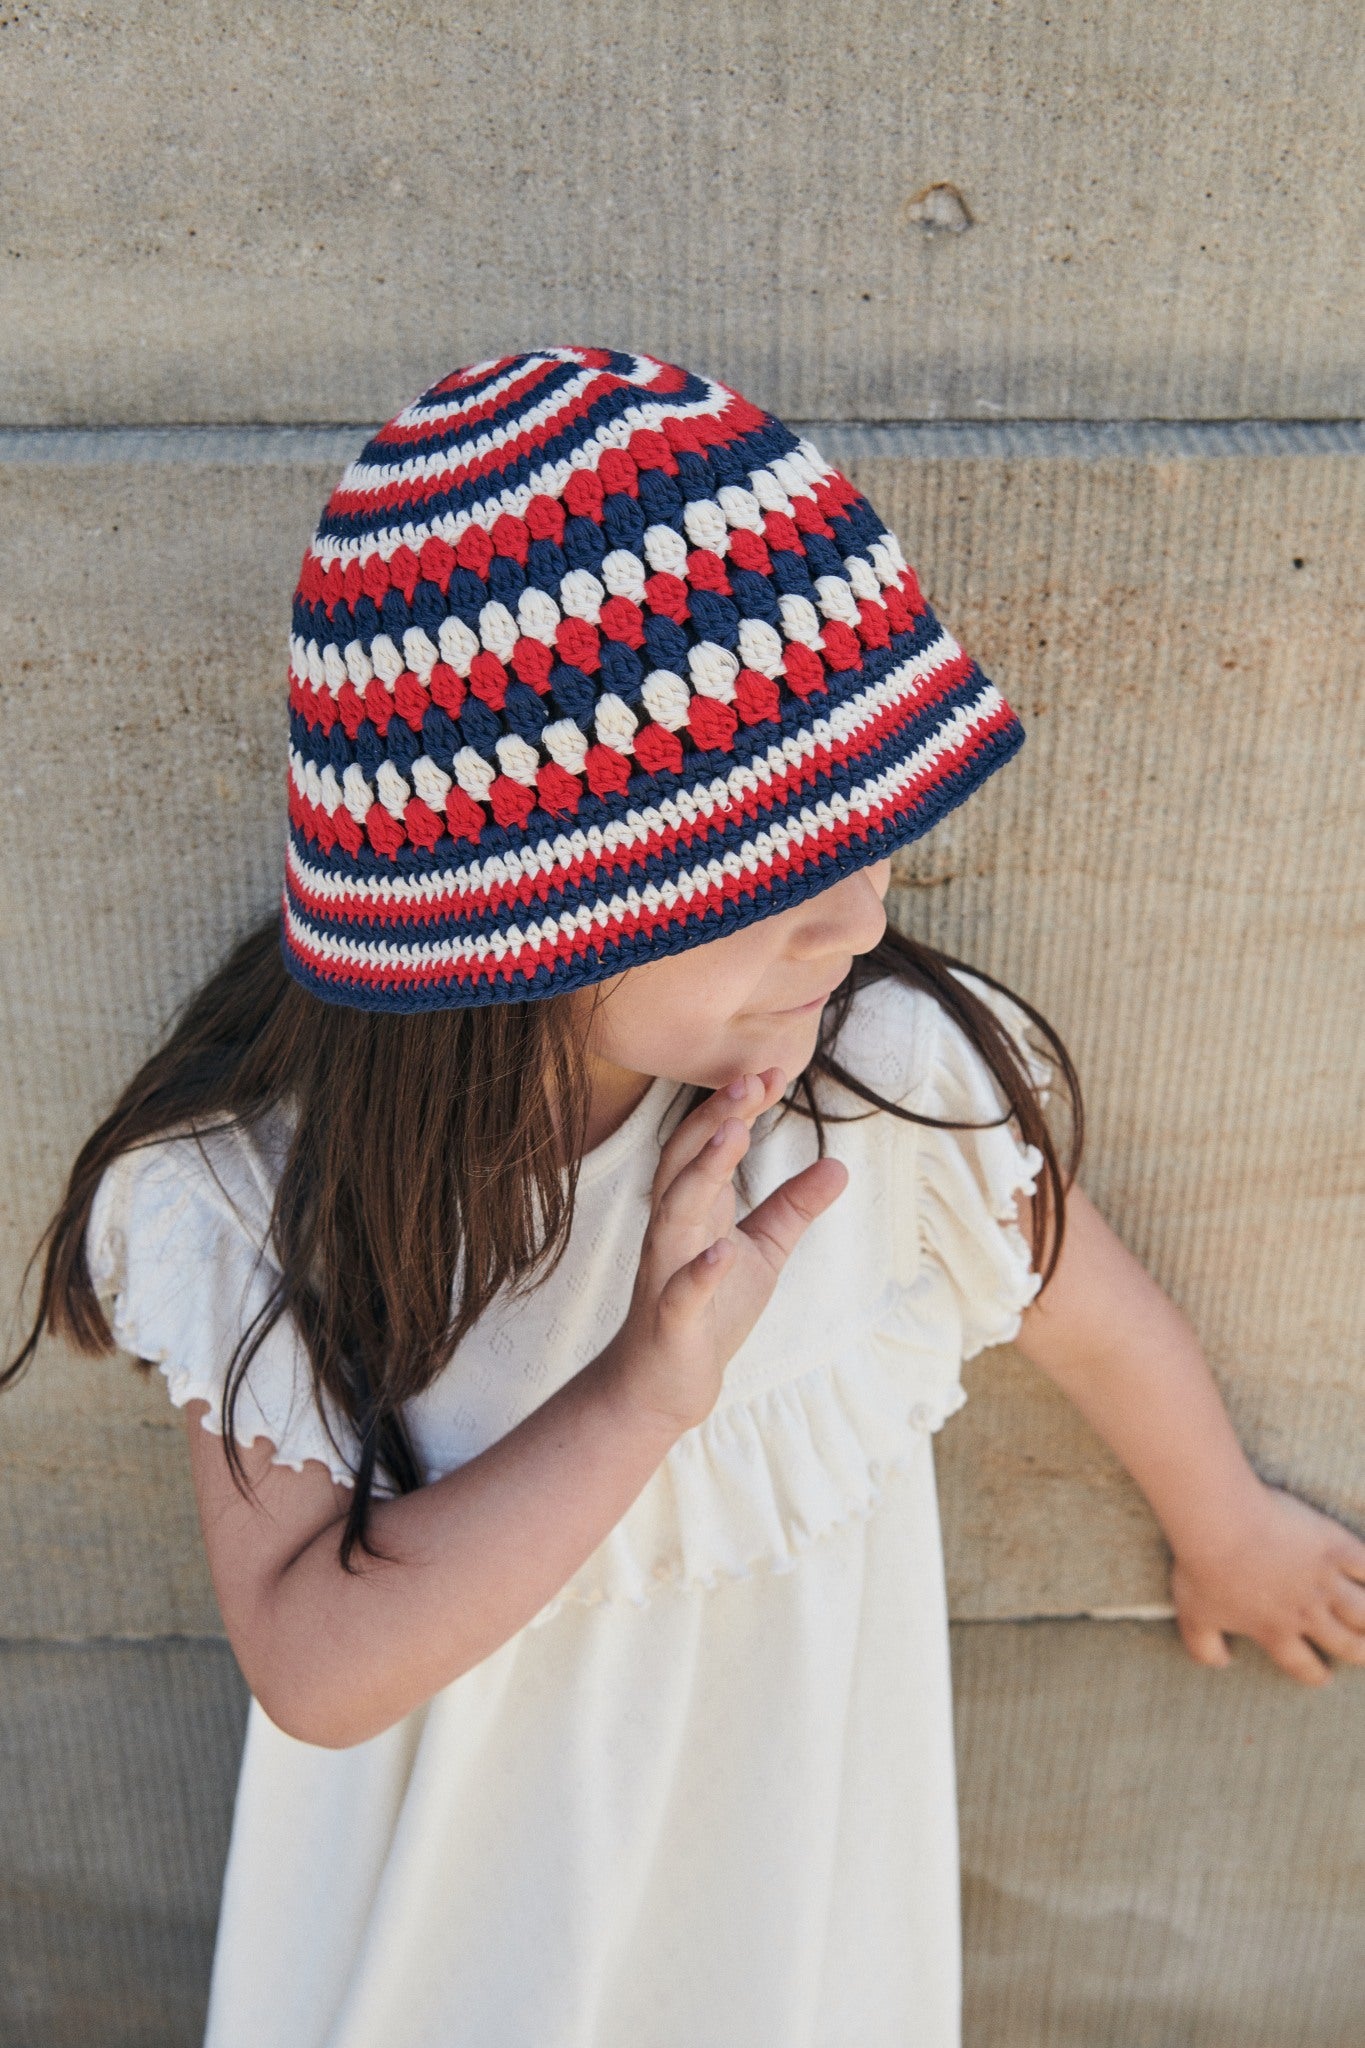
(764, 1480)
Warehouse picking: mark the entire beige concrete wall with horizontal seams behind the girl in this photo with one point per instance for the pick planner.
(224, 228)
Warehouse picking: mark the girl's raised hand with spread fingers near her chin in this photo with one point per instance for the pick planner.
(703, 1281)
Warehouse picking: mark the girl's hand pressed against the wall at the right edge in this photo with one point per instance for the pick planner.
(1288, 1578)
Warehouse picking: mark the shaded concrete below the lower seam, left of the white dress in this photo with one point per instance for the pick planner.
(118, 1768)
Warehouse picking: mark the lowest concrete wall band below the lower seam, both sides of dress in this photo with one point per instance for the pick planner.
(1151, 1854)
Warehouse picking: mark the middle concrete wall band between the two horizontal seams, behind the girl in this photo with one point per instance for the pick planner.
(1172, 871)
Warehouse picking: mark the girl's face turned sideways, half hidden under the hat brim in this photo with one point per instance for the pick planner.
(744, 1002)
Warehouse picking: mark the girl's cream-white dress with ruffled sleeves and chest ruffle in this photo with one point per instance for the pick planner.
(705, 1799)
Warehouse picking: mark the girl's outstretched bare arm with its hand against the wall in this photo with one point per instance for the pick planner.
(1249, 1560)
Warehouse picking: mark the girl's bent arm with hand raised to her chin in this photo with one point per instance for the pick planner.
(337, 1658)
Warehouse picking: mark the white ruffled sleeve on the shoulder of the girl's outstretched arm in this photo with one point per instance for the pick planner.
(967, 1181)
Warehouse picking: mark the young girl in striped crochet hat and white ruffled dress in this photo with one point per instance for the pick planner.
(564, 1234)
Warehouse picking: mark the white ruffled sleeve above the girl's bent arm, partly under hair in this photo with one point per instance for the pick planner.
(177, 1258)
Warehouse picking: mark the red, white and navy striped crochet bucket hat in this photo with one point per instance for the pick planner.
(595, 660)
